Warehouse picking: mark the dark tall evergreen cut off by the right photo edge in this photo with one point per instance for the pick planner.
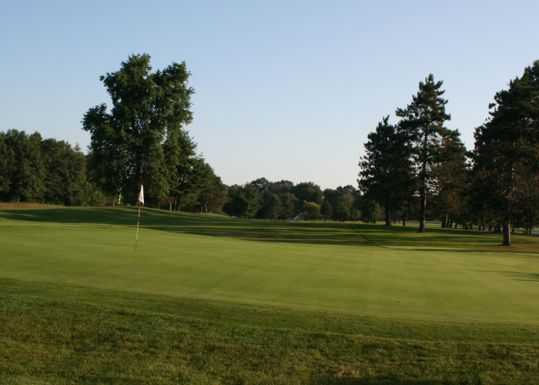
(506, 149)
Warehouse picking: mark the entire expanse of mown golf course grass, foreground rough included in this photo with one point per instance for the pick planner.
(210, 300)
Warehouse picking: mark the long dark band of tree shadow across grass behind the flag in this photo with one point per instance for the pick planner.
(321, 232)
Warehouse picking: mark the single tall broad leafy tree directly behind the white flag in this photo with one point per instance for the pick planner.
(148, 109)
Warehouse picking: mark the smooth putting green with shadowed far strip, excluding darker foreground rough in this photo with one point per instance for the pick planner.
(348, 268)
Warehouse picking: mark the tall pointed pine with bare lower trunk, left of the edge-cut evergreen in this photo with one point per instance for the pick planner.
(424, 120)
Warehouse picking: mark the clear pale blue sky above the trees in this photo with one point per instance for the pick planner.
(284, 89)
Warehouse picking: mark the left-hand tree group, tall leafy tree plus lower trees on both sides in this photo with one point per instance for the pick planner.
(140, 139)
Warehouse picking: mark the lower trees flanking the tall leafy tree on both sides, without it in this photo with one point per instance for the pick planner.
(33, 169)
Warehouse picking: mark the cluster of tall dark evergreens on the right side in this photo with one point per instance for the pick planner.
(417, 163)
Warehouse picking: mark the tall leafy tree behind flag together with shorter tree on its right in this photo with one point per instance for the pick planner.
(142, 139)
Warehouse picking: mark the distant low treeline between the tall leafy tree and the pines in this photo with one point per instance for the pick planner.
(285, 200)
